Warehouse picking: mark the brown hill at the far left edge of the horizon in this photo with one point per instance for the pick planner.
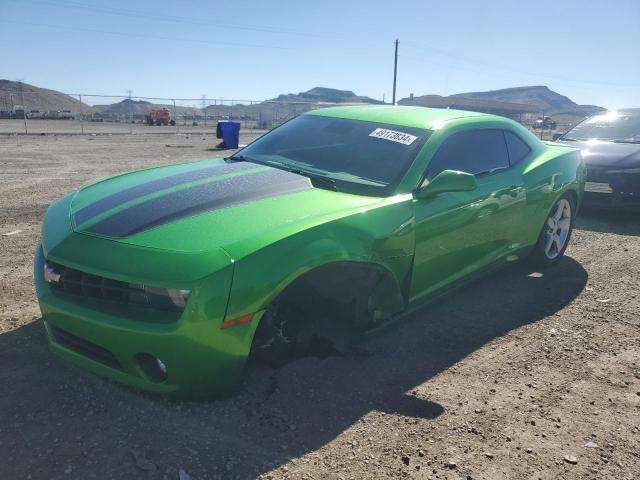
(36, 98)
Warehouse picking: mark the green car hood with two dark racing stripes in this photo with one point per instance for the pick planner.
(237, 207)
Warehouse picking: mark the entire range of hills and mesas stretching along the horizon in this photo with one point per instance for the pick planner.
(517, 100)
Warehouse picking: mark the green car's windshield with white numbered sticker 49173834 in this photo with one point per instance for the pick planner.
(353, 156)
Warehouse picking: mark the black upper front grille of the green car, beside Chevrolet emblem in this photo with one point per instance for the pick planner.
(86, 286)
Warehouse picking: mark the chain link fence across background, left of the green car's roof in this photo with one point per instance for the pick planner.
(34, 113)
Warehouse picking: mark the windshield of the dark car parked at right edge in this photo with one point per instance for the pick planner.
(612, 126)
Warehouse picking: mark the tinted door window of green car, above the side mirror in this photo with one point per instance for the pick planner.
(473, 151)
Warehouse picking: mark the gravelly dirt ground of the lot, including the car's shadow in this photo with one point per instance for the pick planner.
(525, 375)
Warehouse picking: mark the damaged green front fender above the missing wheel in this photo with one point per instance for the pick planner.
(338, 253)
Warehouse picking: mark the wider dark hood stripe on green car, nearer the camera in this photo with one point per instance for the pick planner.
(199, 199)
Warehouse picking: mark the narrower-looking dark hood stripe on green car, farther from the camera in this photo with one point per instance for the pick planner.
(107, 203)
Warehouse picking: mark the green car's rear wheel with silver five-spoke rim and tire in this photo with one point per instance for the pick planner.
(555, 233)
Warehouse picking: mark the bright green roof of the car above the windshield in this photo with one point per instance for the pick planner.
(418, 117)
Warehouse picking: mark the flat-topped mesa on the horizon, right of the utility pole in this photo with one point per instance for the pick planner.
(541, 96)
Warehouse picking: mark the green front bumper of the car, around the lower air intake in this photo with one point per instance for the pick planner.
(202, 360)
